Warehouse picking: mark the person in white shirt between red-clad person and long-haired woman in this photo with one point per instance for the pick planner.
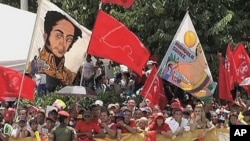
(177, 123)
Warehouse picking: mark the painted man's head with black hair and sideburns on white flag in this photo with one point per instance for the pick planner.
(59, 33)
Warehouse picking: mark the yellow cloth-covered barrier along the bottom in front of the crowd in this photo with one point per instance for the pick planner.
(214, 135)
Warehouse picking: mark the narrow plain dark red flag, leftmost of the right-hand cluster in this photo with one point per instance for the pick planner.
(224, 91)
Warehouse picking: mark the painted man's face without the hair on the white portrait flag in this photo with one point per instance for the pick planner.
(61, 38)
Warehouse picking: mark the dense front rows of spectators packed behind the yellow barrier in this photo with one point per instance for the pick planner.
(98, 121)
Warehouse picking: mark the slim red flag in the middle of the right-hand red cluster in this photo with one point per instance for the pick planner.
(230, 70)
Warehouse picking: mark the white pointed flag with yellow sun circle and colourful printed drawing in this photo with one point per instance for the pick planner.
(185, 64)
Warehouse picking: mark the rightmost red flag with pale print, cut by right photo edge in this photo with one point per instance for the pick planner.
(242, 64)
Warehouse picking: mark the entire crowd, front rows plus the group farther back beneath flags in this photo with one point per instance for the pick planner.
(99, 121)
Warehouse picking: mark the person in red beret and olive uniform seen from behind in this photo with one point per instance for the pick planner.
(63, 132)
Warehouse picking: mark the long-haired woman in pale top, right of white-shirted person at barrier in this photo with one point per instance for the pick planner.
(199, 120)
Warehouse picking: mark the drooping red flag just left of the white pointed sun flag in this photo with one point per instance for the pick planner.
(153, 90)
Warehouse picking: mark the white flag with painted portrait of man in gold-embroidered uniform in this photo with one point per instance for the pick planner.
(58, 45)
